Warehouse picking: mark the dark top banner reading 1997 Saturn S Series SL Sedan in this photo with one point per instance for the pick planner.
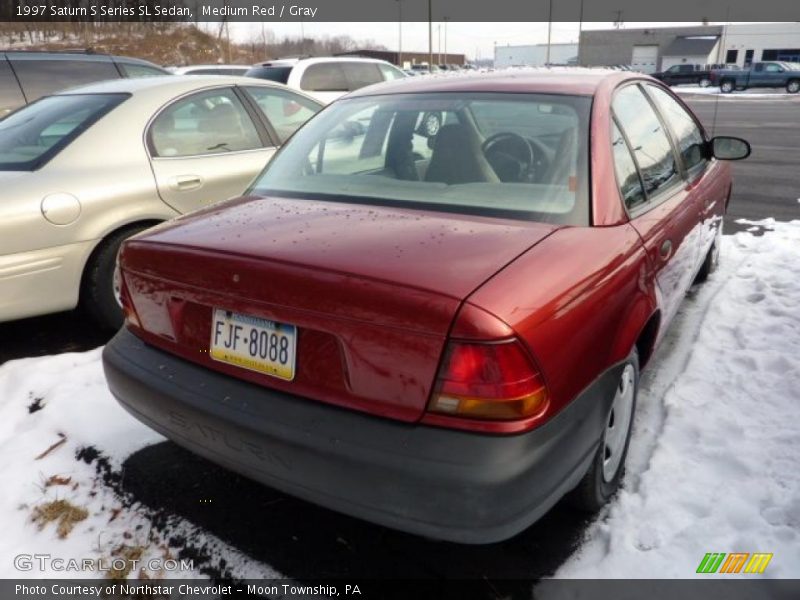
(395, 10)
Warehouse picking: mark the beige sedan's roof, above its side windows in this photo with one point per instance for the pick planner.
(173, 84)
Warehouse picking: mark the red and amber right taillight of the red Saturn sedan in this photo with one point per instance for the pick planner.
(488, 381)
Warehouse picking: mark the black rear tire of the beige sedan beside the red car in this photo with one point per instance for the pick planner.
(97, 288)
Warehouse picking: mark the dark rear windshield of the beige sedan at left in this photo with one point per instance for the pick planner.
(35, 134)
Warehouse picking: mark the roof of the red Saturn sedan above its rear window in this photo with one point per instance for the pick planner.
(564, 80)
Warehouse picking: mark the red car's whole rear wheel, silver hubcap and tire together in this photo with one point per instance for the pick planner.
(608, 466)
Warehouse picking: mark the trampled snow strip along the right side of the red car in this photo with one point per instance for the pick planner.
(714, 463)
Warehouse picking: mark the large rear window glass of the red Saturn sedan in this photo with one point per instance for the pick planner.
(519, 156)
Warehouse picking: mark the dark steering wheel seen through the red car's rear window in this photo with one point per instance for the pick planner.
(515, 158)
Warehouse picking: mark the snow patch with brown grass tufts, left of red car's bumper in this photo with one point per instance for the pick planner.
(61, 404)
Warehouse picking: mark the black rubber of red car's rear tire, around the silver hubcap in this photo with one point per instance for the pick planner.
(596, 488)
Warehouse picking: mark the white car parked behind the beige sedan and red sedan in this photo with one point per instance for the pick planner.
(326, 78)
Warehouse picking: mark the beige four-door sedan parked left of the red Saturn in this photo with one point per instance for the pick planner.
(82, 170)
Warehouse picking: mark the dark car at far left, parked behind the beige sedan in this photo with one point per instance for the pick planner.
(27, 76)
